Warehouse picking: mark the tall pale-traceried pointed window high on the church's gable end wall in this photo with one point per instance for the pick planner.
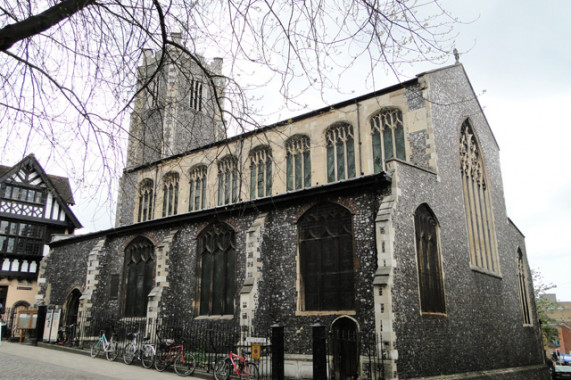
(477, 203)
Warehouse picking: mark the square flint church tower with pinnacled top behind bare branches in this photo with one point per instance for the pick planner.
(176, 108)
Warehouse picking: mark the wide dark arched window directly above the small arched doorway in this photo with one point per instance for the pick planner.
(326, 258)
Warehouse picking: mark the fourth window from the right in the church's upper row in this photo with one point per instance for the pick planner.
(260, 172)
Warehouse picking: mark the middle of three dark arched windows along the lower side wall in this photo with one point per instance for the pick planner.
(217, 252)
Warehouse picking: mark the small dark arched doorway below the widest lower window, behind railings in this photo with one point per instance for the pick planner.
(345, 348)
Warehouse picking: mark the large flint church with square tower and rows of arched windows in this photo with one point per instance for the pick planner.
(383, 214)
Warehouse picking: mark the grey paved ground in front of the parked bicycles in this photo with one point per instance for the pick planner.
(21, 361)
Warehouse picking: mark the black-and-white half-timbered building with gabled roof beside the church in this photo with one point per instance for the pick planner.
(33, 207)
